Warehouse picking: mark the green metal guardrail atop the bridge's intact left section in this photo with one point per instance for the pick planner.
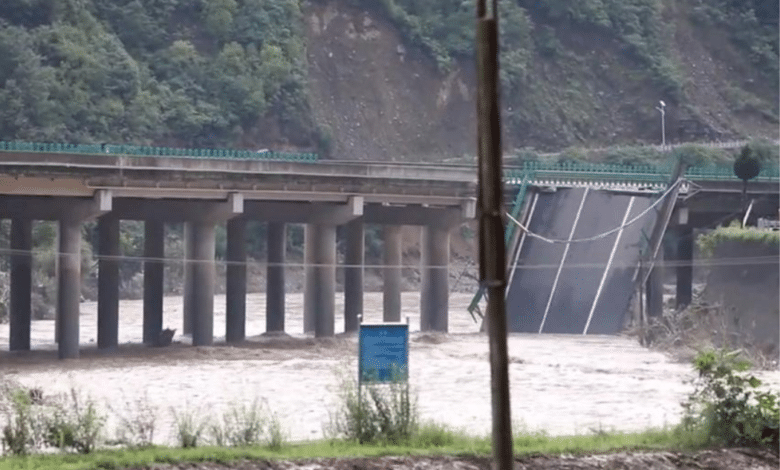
(143, 151)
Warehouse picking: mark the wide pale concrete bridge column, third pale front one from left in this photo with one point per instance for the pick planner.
(319, 301)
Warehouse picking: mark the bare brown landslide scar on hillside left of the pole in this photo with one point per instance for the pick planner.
(381, 100)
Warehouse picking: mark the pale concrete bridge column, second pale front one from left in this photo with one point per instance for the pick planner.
(203, 274)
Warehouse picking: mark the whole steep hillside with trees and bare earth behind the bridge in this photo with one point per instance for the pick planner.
(382, 78)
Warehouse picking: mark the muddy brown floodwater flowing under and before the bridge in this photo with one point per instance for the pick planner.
(560, 384)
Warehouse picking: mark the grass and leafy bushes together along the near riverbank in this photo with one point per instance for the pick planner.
(727, 408)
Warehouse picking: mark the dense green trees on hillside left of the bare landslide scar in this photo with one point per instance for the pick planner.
(144, 70)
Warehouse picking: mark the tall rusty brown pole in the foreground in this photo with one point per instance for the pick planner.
(492, 253)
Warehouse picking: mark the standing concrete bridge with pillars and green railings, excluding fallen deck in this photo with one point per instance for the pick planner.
(72, 184)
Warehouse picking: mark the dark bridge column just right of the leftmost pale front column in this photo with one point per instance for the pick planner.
(108, 282)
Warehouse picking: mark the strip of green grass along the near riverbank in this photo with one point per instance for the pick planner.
(449, 443)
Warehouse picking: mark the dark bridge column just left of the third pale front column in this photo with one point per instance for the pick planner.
(276, 245)
